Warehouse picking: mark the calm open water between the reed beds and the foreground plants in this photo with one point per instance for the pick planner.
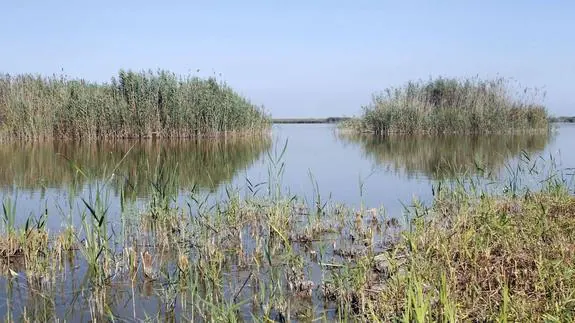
(378, 172)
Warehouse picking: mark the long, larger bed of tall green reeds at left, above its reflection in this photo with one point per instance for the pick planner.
(132, 105)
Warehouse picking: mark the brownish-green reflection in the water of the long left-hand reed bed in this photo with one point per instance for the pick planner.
(206, 163)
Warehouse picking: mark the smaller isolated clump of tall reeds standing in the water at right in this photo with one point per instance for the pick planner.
(453, 106)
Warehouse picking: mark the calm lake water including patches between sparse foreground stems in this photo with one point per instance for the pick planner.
(353, 170)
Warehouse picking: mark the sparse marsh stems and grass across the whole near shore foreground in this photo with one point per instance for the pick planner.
(476, 253)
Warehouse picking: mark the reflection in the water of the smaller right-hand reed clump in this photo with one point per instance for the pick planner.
(448, 156)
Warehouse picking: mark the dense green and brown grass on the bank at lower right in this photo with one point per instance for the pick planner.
(493, 258)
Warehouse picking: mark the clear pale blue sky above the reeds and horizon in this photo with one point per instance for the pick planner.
(300, 58)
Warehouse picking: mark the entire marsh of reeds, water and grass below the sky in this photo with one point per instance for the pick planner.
(157, 197)
